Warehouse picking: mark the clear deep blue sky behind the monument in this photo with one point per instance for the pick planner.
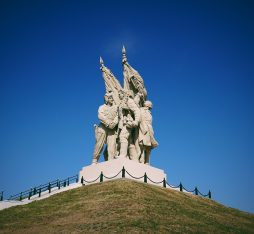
(197, 61)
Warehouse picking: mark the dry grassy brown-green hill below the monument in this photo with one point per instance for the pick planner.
(123, 206)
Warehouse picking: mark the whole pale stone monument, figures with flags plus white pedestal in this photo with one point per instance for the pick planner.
(125, 134)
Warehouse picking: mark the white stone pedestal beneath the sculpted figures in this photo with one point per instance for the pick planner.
(113, 170)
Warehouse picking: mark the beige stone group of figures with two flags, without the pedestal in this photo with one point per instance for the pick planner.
(125, 117)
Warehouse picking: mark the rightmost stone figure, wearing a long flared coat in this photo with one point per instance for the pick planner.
(146, 135)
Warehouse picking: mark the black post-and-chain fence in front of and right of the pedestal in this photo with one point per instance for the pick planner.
(146, 178)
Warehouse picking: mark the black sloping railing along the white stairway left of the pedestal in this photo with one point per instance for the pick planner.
(38, 190)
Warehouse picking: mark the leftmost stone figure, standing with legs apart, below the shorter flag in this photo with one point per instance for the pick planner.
(105, 133)
